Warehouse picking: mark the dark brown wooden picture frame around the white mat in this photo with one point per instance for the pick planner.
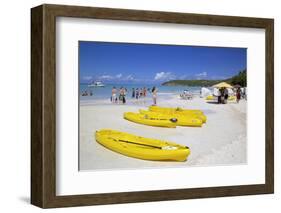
(43, 105)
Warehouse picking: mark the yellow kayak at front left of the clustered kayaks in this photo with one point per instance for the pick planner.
(147, 120)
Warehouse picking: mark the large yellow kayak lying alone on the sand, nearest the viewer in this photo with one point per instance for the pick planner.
(140, 147)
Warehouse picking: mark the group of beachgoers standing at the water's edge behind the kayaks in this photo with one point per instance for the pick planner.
(119, 96)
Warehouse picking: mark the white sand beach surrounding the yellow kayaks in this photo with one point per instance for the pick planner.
(221, 141)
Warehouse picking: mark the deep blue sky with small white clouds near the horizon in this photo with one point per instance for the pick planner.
(153, 63)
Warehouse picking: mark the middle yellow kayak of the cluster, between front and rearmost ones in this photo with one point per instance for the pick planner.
(180, 120)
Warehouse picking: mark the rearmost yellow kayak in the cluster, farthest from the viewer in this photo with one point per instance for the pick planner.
(179, 111)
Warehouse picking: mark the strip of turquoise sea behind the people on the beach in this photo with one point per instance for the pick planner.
(101, 93)
